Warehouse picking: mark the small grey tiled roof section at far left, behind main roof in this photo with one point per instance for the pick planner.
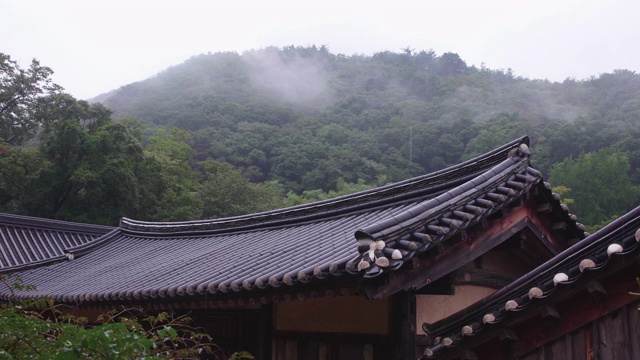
(27, 241)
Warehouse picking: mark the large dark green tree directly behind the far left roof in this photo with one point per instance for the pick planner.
(87, 167)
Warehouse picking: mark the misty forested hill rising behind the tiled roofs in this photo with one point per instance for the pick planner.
(307, 117)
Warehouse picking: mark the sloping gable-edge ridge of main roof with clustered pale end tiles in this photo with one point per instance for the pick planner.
(388, 244)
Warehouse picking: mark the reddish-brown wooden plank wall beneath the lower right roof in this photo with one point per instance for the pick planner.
(615, 336)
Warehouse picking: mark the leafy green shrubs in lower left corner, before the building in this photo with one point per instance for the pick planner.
(38, 330)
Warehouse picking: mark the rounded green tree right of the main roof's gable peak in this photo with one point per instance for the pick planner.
(600, 184)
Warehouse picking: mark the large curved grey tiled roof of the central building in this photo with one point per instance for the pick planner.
(281, 248)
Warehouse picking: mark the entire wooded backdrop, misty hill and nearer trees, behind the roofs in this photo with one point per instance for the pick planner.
(227, 133)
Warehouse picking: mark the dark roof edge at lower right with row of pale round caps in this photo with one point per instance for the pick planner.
(616, 243)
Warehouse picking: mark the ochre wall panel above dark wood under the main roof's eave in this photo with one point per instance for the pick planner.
(339, 328)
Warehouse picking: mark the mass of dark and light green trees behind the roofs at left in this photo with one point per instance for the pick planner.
(90, 168)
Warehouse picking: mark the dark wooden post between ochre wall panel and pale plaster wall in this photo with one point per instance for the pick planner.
(403, 325)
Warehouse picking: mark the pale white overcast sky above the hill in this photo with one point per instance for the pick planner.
(97, 46)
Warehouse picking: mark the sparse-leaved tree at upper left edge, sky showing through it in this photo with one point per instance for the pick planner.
(19, 90)
